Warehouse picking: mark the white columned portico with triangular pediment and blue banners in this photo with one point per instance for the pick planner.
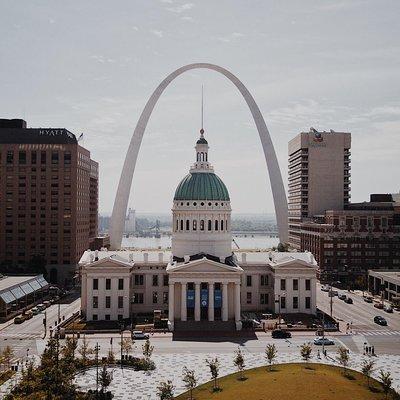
(204, 290)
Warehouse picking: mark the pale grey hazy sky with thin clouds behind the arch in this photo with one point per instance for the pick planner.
(90, 66)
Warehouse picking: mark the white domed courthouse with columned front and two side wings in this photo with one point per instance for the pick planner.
(201, 280)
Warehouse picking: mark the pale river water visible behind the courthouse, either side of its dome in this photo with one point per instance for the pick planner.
(251, 241)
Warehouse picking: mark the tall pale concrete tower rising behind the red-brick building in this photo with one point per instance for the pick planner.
(319, 177)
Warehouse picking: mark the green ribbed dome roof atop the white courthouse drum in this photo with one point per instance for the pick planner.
(201, 186)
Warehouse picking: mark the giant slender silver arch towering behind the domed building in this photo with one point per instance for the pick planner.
(125, 181)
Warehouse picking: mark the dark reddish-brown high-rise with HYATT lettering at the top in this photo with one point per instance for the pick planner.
(48, 198)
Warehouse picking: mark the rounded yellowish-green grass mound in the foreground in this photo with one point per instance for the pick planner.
(293, 382)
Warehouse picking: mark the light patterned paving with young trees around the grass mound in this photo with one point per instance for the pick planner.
(138, 385)
